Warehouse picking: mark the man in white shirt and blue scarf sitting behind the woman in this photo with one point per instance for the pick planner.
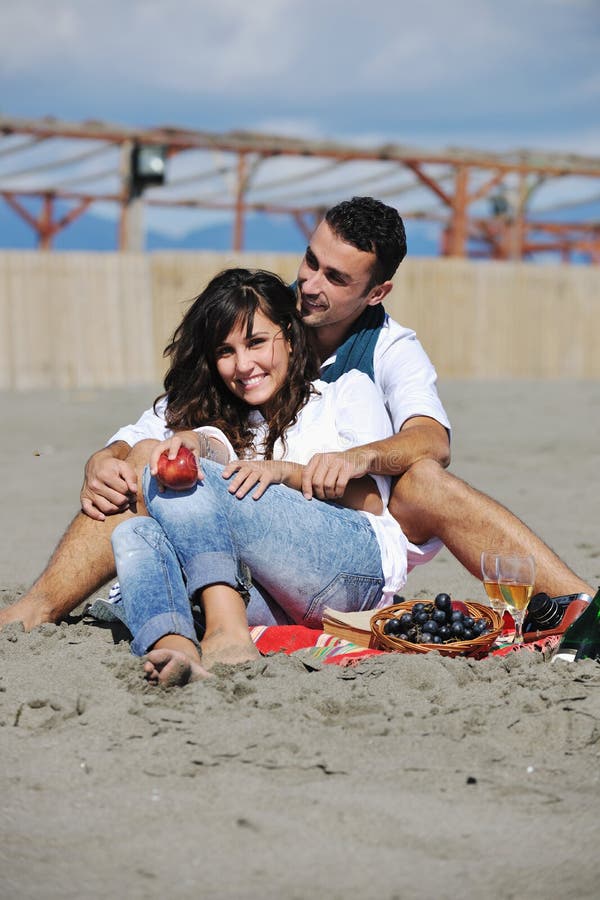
(344, 276)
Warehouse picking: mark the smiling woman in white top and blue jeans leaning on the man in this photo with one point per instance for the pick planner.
(244, 543)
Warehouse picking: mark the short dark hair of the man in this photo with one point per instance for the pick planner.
(373, 227)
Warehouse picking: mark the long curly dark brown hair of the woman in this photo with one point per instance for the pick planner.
(196, 394)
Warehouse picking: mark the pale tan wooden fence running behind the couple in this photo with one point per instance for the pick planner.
(73, 320)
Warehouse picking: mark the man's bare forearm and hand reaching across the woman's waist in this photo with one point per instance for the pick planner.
(327, 474)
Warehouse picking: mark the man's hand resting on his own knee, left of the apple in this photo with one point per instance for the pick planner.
(109, 485)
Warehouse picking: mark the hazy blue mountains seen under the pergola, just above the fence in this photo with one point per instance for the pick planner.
(262, 233)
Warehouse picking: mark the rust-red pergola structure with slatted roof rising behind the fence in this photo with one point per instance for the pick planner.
(454, 179)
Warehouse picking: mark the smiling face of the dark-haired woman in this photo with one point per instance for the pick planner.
(254, 366)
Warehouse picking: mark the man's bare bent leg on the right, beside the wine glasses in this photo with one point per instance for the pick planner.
(429, 501)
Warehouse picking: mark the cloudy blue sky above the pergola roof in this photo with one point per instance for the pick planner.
(484, 74)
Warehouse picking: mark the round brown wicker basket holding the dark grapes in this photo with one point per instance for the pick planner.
(479, 646)
